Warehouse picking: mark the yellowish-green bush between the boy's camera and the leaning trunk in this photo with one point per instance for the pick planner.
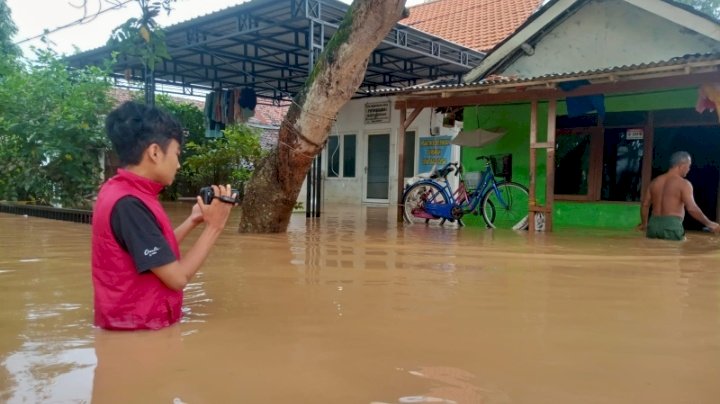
(228, 159)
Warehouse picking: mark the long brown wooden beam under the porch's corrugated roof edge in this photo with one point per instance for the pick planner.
(521, 95)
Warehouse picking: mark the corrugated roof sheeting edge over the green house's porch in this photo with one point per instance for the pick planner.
(496, 80)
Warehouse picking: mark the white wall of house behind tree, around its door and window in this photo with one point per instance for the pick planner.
(351, 120)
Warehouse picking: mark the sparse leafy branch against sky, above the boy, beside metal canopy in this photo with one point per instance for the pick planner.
(142, 37)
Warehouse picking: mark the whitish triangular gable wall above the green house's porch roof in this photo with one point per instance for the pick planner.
(607, 34)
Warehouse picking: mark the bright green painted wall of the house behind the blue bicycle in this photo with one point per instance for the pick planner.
(516, 119)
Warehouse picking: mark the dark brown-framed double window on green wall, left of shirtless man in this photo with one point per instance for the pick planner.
(601, 162)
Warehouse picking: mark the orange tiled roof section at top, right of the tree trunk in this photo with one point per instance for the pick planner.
(476, 24)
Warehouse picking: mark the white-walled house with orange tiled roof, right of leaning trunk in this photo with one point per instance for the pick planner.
(361, 156)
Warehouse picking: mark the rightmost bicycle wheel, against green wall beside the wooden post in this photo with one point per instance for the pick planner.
(507, 208)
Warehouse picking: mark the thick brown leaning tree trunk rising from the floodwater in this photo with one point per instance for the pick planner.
(271, 194)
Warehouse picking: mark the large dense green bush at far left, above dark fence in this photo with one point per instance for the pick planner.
(52, 131)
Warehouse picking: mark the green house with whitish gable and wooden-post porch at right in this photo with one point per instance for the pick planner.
(594, 96)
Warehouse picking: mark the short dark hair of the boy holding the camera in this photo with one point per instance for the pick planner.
(132, 127)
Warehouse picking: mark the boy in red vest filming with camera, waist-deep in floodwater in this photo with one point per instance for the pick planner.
(138, 274)
